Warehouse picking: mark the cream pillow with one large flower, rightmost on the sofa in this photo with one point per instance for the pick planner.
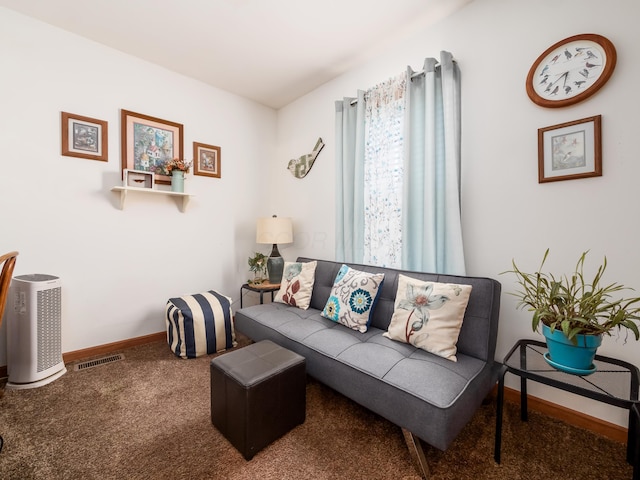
(429, 315)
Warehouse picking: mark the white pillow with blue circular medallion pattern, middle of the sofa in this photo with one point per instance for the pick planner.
(353, 298)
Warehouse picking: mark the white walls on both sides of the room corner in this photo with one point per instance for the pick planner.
(119, 267)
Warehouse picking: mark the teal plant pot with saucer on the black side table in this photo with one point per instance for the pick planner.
(570, 358)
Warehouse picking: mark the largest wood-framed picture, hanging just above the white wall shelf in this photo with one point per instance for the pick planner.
(148, 143)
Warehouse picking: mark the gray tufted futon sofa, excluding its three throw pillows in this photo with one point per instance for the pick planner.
(380, 373)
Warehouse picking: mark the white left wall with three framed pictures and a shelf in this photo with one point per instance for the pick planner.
(119, 267)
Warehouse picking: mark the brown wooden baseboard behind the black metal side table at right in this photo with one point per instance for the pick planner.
(572, 417)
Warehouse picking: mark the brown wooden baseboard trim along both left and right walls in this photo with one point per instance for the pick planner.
(572, 417)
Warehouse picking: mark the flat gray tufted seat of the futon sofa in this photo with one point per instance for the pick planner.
(421, 375)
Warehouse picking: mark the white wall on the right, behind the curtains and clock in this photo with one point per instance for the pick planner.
(506, 212)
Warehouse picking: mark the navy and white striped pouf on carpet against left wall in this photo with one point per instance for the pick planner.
(199, 324)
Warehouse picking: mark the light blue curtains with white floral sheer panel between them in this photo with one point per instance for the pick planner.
(426, 234)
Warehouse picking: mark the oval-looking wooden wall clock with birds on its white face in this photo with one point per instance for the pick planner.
(571, 70)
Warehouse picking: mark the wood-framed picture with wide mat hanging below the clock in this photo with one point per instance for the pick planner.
(570, 150)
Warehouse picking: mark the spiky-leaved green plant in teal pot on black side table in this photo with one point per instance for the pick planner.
(575, 314)
